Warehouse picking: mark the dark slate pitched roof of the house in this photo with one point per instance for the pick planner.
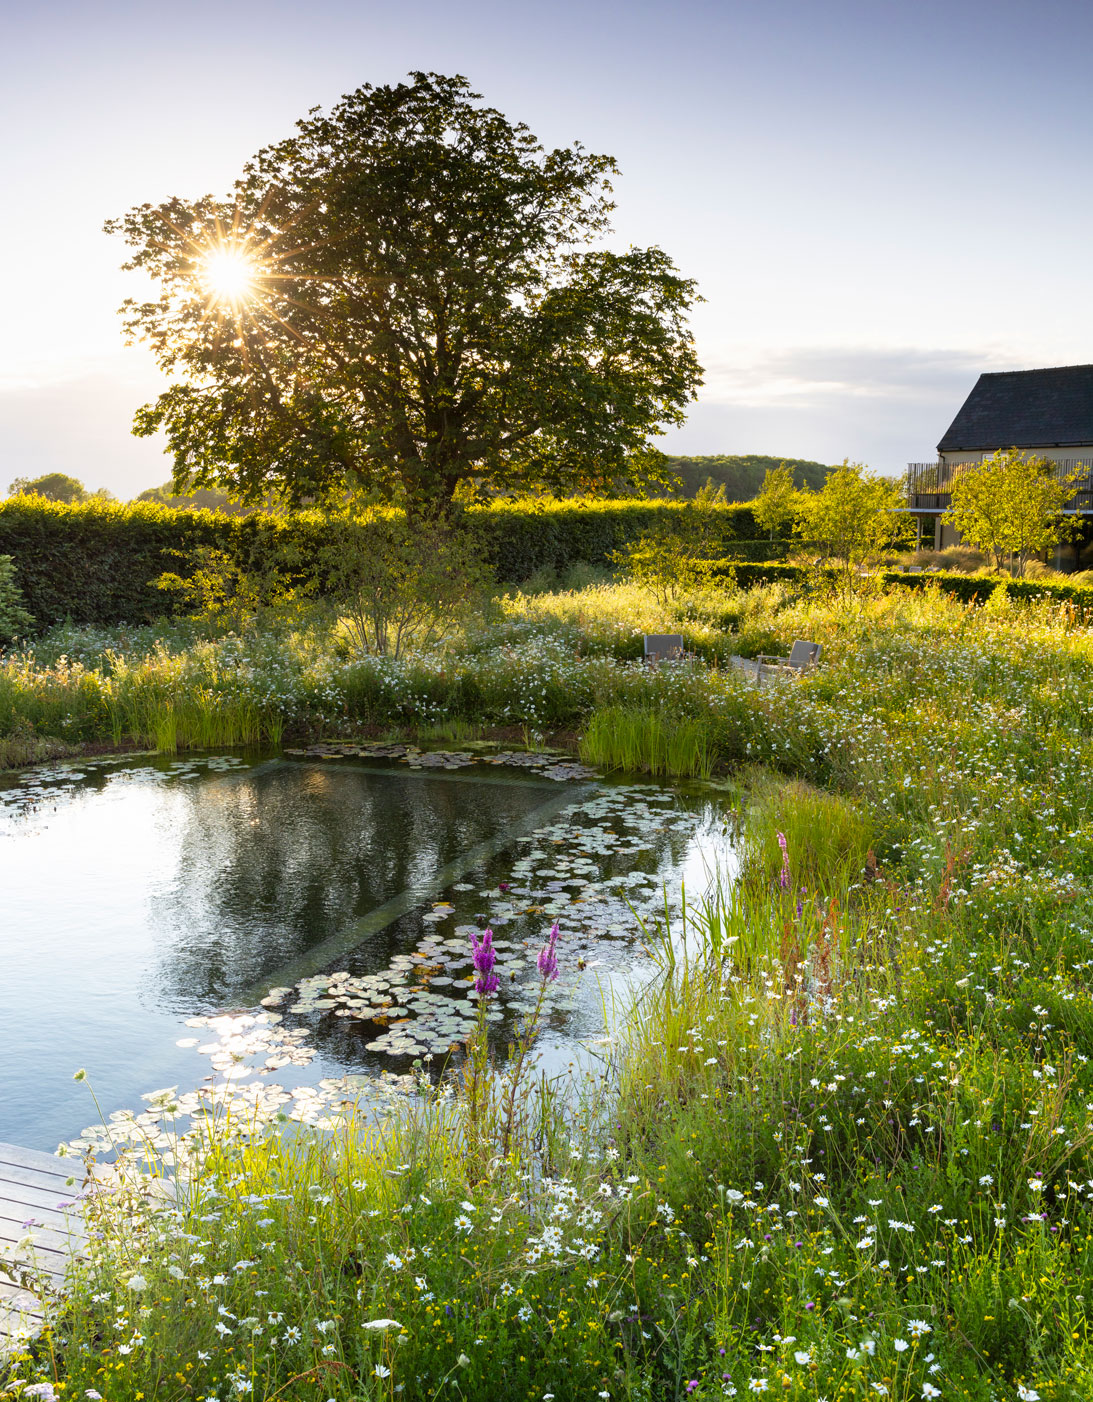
(1025, 409)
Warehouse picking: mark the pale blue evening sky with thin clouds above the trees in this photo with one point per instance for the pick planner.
(879, 201)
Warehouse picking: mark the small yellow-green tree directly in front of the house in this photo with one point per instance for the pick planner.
(1011, 507)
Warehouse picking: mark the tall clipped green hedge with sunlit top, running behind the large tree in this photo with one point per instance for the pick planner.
(95, 563)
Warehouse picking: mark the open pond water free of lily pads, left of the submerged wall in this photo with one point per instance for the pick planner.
(137, 895)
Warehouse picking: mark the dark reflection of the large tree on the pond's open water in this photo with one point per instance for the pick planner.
(271, 866)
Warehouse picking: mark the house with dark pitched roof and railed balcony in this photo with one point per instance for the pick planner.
(1043, 413)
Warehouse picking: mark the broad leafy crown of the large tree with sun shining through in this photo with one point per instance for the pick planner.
(408, 294)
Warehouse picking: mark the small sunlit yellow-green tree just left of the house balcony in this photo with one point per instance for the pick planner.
(854, 518)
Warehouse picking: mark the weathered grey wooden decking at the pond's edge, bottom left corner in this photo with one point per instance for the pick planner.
(39, 1230)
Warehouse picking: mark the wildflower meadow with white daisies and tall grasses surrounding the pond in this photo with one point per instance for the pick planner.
(847, 1150)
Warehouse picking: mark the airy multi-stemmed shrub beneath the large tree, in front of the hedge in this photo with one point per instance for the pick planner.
(399, 581)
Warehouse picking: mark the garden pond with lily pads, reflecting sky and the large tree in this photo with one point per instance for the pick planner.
(338, 890)
